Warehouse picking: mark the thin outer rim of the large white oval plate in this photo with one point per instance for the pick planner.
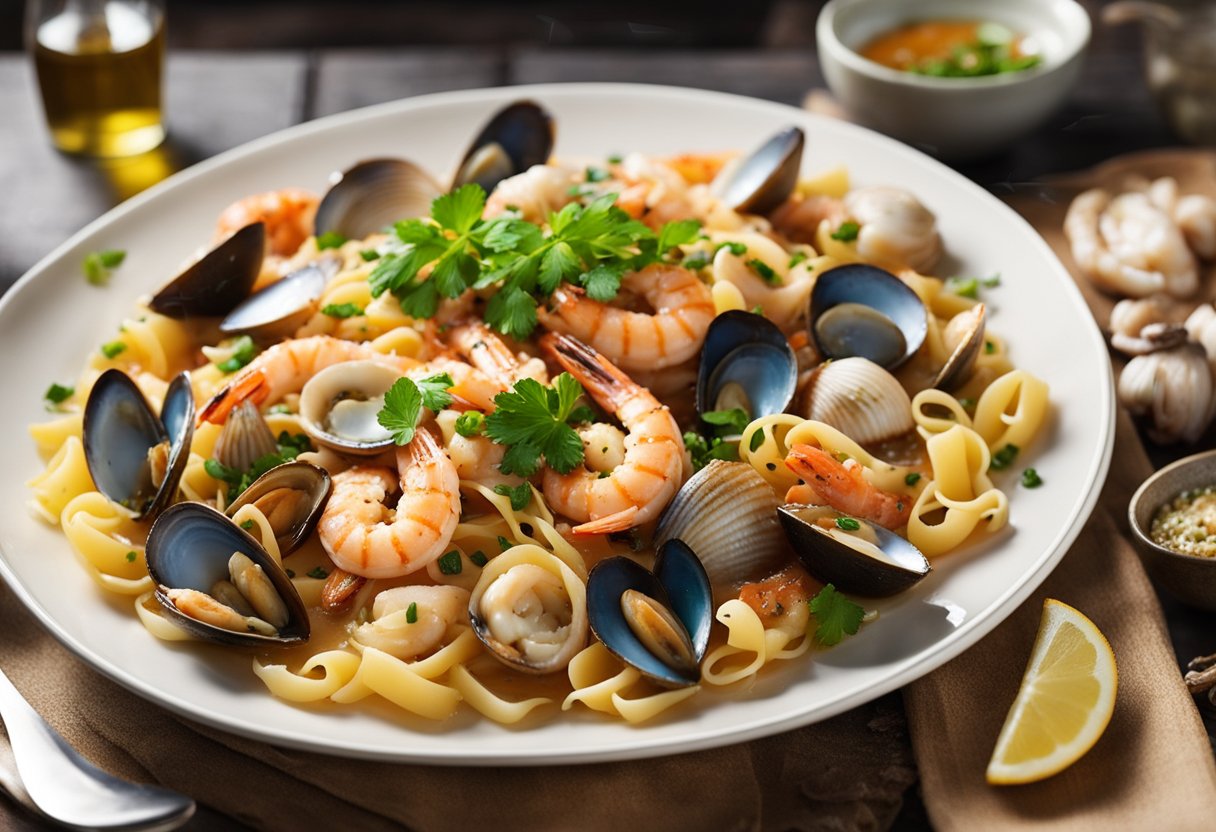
(959, 640)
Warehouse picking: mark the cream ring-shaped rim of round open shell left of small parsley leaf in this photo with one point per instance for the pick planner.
(336, 384)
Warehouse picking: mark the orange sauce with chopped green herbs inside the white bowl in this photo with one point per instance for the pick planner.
(953, 49)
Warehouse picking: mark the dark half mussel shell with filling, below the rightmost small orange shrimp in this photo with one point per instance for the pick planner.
(852, 554)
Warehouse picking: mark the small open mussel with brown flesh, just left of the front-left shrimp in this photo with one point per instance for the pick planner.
(292, 497)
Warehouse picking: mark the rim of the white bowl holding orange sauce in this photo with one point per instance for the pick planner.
(1076, 40)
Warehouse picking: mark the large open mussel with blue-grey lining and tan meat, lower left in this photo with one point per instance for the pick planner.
(198, 556)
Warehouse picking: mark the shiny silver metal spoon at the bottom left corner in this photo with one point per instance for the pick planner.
(71, 791)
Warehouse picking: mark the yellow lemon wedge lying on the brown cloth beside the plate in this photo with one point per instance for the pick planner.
(1065, 704)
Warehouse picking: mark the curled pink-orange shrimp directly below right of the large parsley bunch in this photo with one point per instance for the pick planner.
(673, 334)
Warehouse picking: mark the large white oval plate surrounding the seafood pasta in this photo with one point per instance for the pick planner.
(52, 319)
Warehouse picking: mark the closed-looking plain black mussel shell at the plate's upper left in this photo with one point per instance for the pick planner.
(218, 282)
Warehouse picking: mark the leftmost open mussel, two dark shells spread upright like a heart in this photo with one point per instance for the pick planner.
(137, 458)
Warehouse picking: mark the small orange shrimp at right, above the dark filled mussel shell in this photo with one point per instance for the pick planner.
(845, 487)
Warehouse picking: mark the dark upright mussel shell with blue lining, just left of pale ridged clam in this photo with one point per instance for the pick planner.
(751, 352)
